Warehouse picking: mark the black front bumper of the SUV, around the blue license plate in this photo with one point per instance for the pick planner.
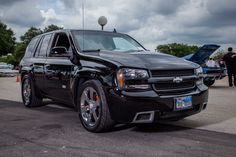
(126, 106)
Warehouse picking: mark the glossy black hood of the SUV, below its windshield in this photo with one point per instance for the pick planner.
(147, 60)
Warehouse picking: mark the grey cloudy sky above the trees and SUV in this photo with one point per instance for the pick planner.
(152, 22)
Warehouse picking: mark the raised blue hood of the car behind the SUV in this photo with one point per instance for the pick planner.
(203, 54)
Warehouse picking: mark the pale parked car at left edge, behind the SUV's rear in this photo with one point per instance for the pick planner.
(7, 70)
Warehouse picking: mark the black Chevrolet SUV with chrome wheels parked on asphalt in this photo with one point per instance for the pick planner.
(109, 77)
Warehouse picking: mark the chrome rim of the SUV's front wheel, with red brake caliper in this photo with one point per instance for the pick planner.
(90, 106)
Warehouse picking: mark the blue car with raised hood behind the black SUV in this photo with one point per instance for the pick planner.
(201, 57)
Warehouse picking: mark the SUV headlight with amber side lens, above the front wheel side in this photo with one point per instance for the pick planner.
(132, 79)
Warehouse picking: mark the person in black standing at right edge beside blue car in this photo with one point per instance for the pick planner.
(229, 60)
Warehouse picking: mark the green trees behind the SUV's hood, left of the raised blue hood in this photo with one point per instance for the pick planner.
(177, 49)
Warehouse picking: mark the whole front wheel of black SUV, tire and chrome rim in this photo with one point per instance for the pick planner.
(93, 109)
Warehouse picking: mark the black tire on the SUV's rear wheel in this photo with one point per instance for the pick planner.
(32, 100)
